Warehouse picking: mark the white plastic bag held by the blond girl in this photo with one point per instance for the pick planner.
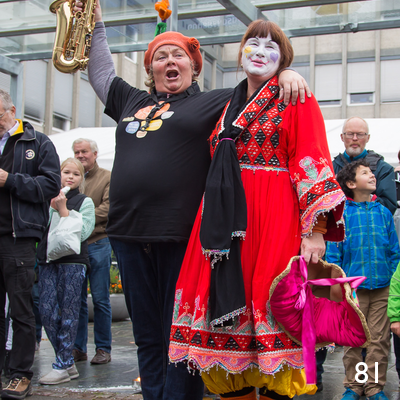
(64, 237)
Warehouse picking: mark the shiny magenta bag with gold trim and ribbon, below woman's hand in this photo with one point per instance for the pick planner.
(304, 309)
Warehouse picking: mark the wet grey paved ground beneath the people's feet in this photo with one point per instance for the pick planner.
(115, 379)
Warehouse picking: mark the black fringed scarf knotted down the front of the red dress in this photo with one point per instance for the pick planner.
(224, 217)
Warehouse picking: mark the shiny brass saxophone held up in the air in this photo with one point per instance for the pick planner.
(73, 35)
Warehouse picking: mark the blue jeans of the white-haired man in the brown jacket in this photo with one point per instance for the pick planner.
(99, 278)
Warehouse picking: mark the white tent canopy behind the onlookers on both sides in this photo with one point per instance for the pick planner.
(385, 140)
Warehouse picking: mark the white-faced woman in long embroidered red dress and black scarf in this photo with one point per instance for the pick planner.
(270, 195)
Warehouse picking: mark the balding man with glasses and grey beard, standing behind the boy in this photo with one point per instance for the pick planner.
(355, 136)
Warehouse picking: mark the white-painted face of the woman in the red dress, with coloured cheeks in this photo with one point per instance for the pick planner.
(261, 57)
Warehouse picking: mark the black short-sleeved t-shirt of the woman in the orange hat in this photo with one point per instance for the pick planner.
(159, 174)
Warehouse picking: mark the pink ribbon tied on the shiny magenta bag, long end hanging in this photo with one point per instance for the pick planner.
(304, 302)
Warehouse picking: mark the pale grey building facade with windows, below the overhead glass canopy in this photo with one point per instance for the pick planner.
(350, 74)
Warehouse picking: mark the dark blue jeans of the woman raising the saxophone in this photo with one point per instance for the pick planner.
(149, 272)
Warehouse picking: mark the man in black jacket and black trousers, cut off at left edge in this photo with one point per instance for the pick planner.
(29, 179)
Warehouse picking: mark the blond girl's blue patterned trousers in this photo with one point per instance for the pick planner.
(60, 286)
